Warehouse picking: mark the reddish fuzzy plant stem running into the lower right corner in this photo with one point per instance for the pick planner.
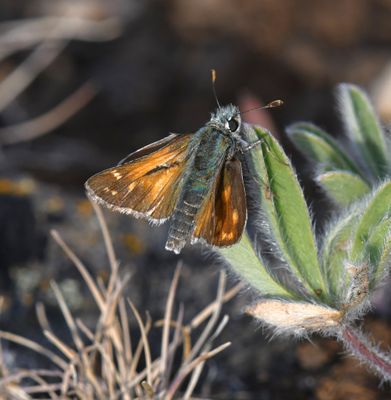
(362, 348)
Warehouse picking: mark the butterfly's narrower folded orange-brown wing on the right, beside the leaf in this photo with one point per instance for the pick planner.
(223, 217)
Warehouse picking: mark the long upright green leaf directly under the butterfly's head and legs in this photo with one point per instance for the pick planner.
(286, 210)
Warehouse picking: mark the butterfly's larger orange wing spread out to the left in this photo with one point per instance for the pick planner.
(148, 186)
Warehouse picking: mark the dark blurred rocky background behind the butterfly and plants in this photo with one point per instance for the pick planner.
(84, 82)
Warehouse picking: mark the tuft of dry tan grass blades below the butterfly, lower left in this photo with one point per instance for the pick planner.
(100, 363)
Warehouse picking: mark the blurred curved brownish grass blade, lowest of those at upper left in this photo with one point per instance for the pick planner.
(51, 120)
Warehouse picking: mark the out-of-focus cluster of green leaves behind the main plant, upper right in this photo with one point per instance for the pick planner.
(347, 171)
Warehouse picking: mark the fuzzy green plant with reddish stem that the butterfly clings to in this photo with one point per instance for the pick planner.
(313, 284)
